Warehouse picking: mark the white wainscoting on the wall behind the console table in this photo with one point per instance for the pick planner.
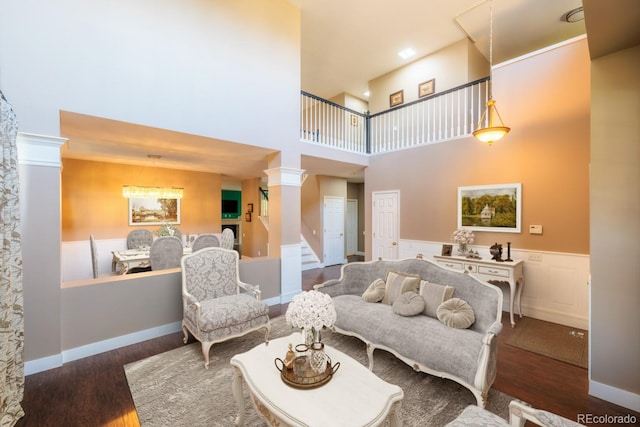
(556, 284)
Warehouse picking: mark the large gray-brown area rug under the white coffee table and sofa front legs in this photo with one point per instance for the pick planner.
(174, 389)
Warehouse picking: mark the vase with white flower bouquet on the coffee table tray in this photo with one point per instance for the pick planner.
(311, 311)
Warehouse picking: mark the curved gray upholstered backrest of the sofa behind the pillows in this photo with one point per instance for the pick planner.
(485, 299)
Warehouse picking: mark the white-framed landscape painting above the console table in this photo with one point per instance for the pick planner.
(490, 207)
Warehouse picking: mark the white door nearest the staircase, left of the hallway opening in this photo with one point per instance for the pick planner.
(333, 220)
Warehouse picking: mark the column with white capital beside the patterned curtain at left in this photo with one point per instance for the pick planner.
(40, 210)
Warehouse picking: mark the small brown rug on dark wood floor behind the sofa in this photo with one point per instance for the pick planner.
(559, 342)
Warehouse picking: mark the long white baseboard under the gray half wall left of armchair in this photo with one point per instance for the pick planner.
(55, 361)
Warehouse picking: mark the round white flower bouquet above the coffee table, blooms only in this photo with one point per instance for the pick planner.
(311, 309)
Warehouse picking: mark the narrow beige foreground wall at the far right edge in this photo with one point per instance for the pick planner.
(615, 224)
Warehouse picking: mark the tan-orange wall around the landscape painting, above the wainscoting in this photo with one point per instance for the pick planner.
(547, 151)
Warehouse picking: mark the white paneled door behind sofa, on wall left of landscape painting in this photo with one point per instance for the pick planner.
(385, 224)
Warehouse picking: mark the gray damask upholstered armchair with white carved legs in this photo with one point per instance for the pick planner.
(217, 306)
